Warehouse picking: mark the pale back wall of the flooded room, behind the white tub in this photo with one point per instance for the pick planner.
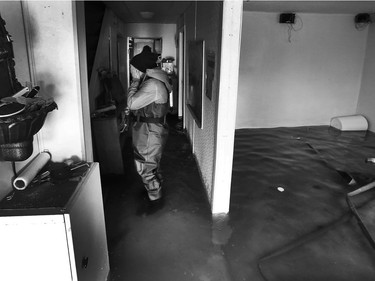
(307, 81)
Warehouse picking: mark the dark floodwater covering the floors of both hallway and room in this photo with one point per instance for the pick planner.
(289, 219)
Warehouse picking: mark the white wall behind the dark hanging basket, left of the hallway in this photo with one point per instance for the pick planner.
(54, 47)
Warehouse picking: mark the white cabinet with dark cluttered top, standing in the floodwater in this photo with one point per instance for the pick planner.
(55, 231)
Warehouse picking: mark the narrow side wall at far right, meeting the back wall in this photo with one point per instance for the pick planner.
(366, 101)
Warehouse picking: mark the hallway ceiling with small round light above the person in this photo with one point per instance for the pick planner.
(163, 11)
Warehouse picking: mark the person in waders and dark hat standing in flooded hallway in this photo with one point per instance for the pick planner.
(148, 102)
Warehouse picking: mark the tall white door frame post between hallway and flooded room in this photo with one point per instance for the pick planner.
(227, 104)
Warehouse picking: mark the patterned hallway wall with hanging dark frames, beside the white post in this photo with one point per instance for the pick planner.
(203, 22)
